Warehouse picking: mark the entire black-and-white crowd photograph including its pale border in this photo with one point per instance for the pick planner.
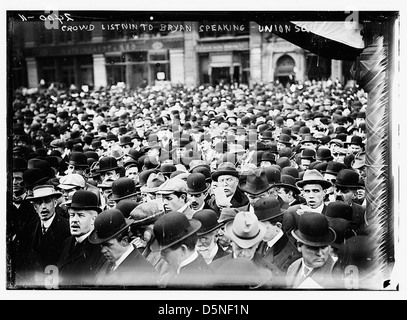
(197, 150)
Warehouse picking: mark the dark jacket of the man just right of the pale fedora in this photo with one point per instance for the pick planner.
(283, 253)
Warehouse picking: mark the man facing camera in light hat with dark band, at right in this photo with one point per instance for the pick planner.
(313, 186)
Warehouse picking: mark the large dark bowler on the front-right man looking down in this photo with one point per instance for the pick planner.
(313, 230)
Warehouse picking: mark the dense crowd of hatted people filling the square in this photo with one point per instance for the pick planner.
(204, 187)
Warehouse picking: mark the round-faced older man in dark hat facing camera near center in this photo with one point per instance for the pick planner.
(226, 178)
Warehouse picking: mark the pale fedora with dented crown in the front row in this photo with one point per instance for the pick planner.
(245, 229)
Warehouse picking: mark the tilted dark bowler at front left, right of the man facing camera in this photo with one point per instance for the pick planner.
(108, 224)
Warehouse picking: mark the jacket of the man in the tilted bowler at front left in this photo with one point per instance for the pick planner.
(135, 270)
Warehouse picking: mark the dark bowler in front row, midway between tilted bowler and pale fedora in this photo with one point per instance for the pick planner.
(172, 228)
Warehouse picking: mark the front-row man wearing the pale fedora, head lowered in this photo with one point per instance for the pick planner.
(246, 233)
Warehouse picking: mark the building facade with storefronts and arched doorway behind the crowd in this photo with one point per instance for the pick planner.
(100, 54)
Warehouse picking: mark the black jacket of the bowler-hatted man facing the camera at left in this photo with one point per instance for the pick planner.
(78, 265)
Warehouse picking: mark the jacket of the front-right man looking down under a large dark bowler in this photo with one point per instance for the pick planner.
(322, 276)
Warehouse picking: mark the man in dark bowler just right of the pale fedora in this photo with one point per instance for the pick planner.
(276, 247)
